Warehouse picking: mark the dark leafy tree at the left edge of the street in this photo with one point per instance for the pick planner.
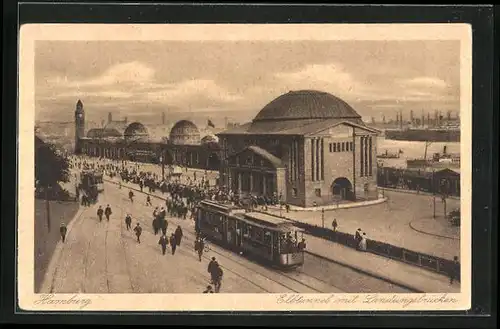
(50, 169)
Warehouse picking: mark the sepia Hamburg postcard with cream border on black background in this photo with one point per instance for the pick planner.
(230, 167)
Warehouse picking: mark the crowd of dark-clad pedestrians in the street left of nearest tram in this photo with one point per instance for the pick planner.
(181, 192)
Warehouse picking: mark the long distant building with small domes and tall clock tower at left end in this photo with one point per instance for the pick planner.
(122, 141)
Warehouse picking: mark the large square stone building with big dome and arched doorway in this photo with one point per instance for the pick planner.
(305, 147)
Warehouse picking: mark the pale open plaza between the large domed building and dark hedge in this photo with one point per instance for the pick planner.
(388, 222)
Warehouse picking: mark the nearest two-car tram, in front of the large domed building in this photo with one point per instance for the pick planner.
(259, 236)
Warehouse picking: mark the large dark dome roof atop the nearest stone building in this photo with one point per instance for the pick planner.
(304, 105)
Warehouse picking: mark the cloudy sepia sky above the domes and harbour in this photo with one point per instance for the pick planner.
(235, 79)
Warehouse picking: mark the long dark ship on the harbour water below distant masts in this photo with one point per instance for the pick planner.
(422, 135)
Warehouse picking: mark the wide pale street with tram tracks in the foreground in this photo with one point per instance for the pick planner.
(103, 257)
